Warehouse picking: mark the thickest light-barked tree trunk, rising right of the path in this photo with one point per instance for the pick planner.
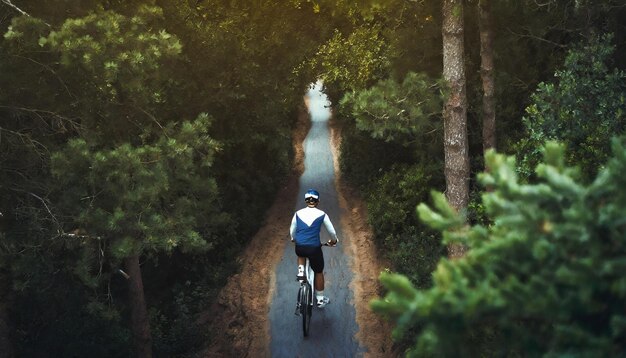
(455, 113)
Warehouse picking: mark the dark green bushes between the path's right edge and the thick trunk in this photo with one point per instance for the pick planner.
(392, 187)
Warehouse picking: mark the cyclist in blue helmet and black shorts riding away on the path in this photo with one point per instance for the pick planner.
(306, 225)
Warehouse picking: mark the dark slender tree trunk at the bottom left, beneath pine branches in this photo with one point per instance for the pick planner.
(139, 314)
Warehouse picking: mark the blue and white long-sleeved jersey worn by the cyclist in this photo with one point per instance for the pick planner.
(307, 224)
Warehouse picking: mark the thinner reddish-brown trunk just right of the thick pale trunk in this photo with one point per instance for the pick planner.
(487, 73)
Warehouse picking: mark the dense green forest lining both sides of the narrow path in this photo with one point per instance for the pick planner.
(145, 139)
